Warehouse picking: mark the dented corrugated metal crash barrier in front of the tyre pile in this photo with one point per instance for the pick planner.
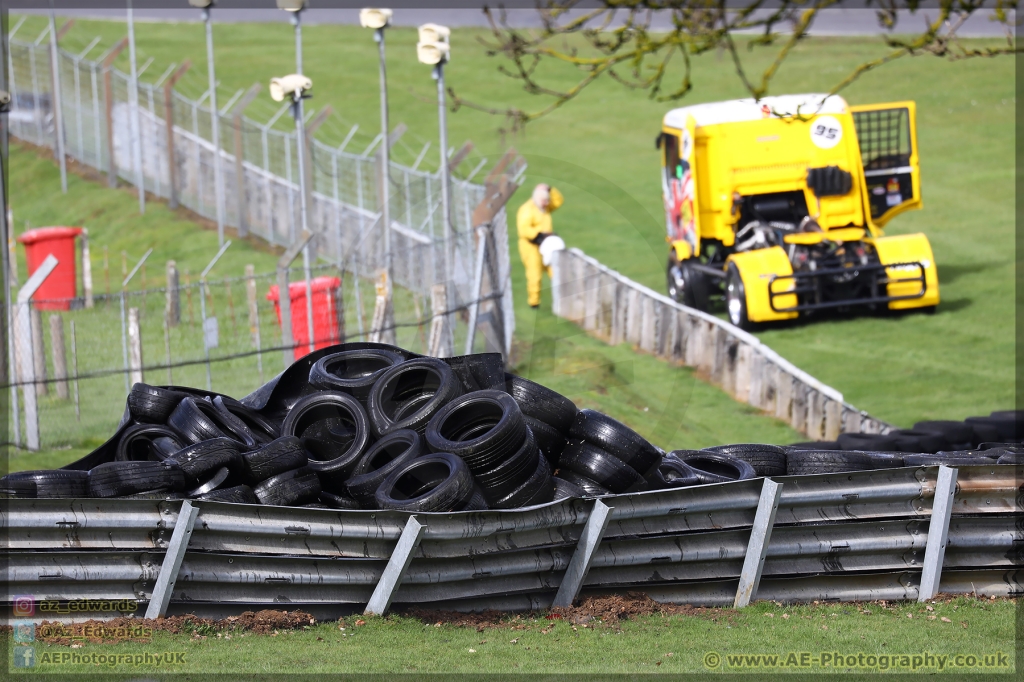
(836, 537)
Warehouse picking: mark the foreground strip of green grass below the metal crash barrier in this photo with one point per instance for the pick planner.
(648, 645)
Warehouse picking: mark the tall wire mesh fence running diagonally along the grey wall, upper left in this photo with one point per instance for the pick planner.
(169, 136)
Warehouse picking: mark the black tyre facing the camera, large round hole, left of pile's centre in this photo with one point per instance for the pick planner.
(336, 432)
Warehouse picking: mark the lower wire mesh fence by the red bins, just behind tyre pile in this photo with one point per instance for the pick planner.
(224, 335)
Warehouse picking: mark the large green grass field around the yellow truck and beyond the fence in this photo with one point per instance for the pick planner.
(600, 151)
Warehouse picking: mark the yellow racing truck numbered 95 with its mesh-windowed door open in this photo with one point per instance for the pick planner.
(777, 207)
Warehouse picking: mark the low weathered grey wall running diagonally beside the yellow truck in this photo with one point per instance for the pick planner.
(617, 310)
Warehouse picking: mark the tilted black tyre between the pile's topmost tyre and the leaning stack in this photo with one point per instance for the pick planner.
(408, 396)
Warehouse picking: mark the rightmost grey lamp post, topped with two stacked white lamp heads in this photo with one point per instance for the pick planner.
(435, 50)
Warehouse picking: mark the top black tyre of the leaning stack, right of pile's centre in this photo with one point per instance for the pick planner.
(485, 429)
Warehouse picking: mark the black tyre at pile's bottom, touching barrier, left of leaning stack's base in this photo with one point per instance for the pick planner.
(435, 483)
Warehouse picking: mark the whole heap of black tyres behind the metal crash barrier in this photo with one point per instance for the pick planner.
(372, 427)
